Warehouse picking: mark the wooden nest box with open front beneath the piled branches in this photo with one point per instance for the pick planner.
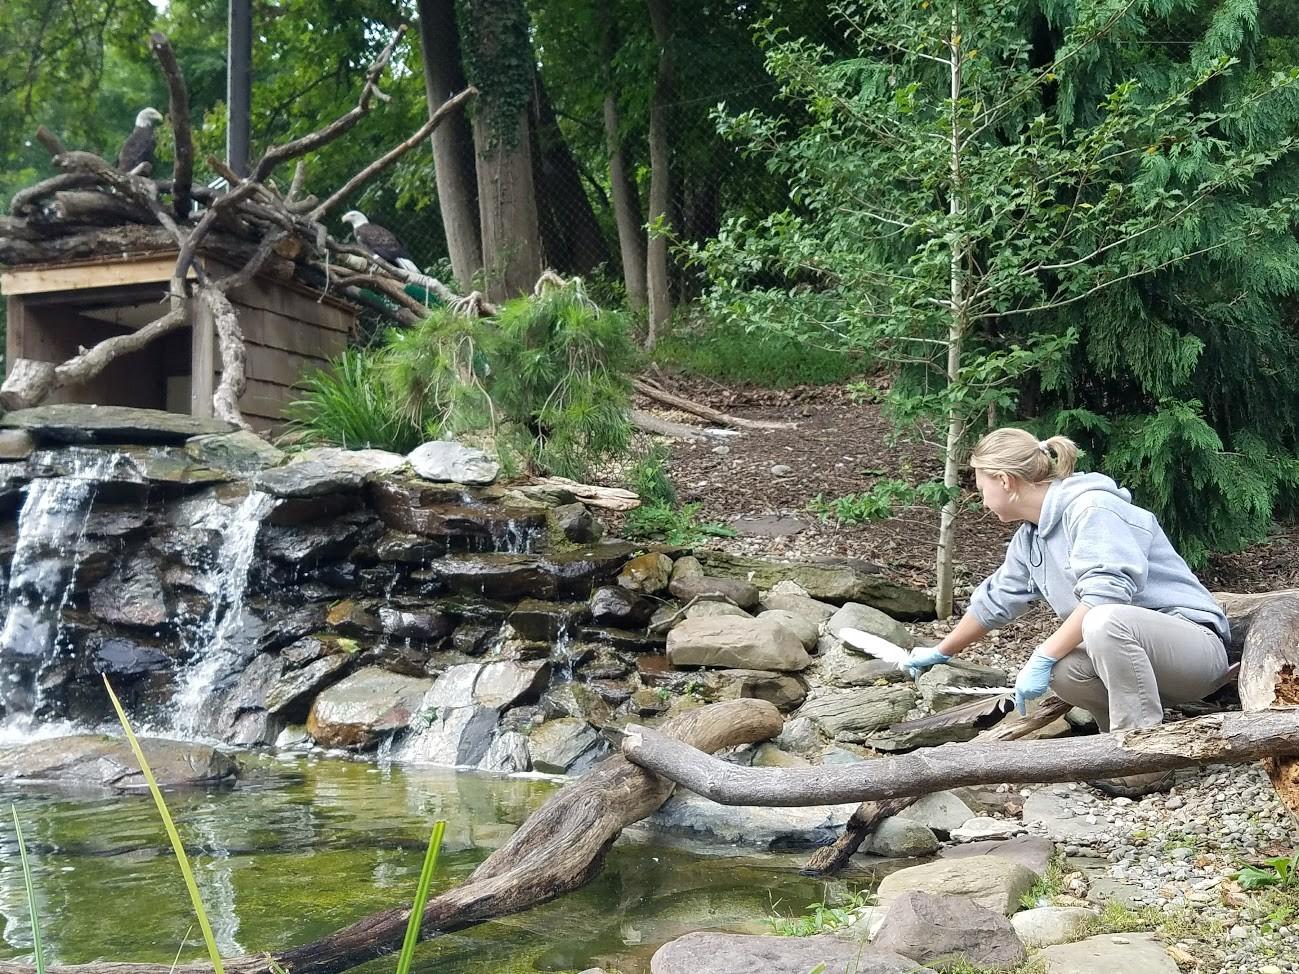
(55, 310)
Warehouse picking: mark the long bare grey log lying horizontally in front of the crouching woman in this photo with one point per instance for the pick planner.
(1210, 740)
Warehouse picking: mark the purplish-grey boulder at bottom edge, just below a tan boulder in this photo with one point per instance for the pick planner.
(945, 930)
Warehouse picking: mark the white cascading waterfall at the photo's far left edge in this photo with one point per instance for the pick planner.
(44, 573)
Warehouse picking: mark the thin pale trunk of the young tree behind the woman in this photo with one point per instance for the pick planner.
(955, 340)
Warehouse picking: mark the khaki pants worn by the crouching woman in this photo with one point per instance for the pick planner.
(1133, 662)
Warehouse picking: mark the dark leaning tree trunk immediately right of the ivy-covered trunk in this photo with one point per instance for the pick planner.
(576, 243)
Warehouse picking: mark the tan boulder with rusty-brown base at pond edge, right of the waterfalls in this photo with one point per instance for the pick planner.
(366, 707)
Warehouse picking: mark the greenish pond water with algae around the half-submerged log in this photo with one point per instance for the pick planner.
(307, 846)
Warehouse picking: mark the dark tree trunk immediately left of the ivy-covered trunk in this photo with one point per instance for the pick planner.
(453, 141)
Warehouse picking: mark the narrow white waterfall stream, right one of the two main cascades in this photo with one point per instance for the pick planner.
(211, 642)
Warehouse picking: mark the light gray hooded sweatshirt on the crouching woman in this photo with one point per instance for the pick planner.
(1093, 546)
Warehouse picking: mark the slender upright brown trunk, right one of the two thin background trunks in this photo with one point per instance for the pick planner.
(661, 177)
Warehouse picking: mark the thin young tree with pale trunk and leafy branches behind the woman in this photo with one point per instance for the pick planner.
(945, 206)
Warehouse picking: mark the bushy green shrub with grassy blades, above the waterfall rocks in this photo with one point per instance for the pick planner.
(545, 385)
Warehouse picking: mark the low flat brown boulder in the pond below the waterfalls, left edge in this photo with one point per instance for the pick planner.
(103, 762)
